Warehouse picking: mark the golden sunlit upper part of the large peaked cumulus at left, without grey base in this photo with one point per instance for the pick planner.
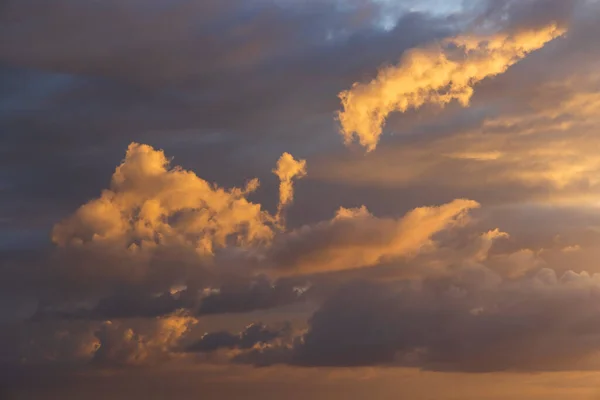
(150, 203)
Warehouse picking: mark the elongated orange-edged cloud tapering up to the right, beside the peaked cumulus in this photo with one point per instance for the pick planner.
(355, 238)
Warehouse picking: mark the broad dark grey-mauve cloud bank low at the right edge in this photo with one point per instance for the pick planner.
(466, 323)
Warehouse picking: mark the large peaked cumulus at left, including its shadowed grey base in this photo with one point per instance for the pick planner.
(156, 227)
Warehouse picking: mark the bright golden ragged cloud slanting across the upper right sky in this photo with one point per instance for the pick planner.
(437, 74)
